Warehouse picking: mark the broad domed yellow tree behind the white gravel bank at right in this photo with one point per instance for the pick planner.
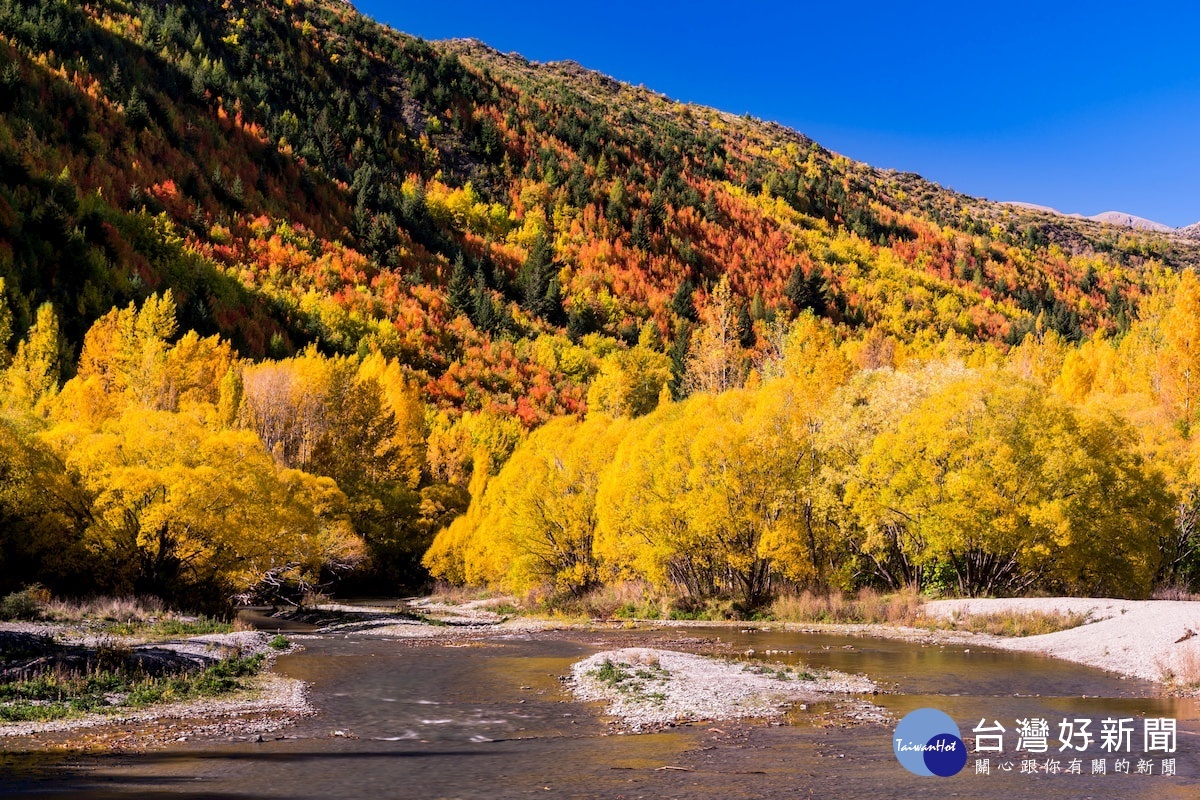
(1009, 489)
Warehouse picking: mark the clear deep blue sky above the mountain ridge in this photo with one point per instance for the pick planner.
(1012, 101)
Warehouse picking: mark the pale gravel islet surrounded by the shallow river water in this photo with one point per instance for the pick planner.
(649, 689)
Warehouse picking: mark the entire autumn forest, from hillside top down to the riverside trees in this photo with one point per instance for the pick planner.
(291, 302)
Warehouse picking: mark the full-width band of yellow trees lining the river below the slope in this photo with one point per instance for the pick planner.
(170, 465)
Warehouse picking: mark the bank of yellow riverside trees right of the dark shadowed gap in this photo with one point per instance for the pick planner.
(1053, 468)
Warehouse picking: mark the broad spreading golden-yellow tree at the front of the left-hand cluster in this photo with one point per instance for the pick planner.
(177, 506)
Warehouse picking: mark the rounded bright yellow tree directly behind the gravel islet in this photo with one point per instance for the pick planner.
(721, 495)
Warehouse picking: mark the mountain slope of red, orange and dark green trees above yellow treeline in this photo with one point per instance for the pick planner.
(298, 173)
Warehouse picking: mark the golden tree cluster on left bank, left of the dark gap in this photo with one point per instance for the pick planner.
(170, 466)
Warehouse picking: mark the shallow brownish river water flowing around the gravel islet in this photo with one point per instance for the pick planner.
(491, 720)
